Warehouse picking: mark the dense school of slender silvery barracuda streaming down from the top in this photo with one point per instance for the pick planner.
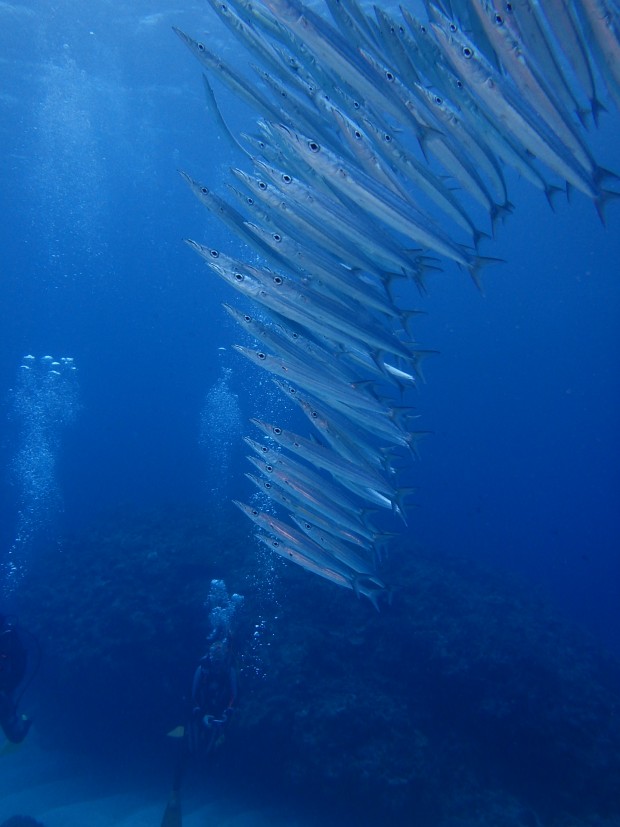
(380, 150)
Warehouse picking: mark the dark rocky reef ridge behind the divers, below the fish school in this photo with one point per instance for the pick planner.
(465, 701)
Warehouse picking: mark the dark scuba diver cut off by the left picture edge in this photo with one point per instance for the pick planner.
(13, 666)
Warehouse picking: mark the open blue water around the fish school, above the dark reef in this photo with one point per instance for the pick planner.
(100, 107)
